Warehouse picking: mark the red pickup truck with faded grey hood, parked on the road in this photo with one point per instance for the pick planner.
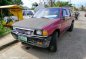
(44, 28)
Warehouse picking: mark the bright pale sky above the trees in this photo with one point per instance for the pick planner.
(77, 3)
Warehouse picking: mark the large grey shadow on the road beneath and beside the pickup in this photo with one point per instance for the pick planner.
(72, 45)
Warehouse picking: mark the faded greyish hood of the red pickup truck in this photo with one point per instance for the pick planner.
(34, 23)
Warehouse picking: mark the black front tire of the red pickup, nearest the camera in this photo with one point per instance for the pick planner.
(53, 43)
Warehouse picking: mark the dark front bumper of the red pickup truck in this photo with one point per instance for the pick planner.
(34, 40)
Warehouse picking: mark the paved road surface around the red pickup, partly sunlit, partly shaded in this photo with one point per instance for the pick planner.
(72, 45)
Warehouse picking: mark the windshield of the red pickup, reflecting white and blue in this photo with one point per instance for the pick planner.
(51, 13)
